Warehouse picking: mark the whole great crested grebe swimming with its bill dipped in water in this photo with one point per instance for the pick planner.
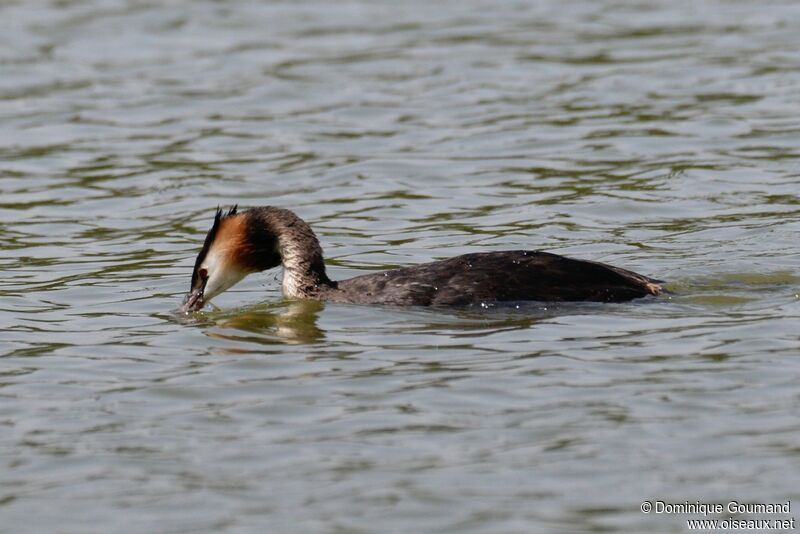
(257, 239)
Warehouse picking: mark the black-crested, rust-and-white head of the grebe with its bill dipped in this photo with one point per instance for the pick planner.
(237, 244)
